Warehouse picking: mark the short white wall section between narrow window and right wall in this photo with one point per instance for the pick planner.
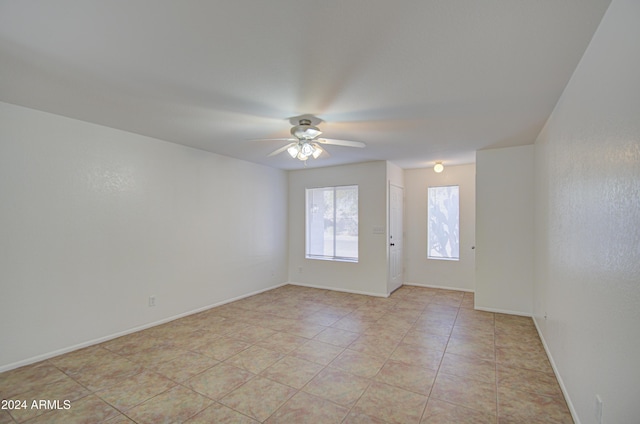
(504, 230)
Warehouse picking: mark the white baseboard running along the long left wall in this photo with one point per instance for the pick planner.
(82, 345)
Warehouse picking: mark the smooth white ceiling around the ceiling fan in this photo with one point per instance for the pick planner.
(416, 80)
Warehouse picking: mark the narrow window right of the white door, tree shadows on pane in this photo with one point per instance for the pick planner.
(444, 223)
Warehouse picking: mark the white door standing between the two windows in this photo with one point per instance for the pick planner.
(396, 210)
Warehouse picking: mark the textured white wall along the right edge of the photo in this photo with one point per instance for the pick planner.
(587, 271)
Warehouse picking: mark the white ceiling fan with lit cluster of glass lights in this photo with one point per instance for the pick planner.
(306, 143)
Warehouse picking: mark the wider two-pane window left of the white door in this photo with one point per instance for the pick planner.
(332, 223)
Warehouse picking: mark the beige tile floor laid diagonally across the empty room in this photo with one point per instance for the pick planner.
(302, 355)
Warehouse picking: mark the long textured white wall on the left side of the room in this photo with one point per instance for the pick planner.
(94, 220)
